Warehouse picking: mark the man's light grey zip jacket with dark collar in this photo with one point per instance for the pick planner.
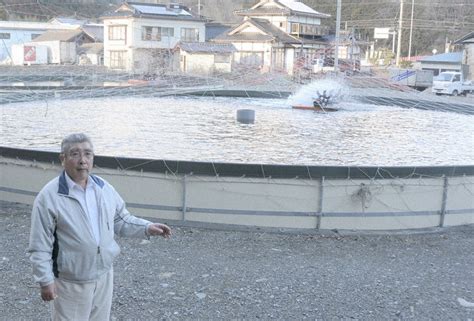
(62, 243)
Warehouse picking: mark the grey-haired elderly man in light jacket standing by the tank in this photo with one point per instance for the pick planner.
(72, 246)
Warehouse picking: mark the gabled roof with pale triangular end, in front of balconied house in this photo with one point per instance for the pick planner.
(268, 32)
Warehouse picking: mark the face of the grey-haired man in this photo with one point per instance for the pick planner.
(78, 161)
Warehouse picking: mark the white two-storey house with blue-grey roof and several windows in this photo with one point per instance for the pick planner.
(139, 37)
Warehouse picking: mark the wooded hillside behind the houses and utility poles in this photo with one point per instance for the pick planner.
(435, 22)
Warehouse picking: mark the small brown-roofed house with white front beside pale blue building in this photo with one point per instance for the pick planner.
(63, 44)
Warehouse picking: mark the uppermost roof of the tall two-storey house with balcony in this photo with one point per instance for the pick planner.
(281, 7)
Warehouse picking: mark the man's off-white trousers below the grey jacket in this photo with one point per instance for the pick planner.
(83, 301)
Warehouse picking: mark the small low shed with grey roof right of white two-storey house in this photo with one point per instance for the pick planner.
(205, 58)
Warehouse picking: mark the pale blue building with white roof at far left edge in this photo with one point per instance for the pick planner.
(20, 32)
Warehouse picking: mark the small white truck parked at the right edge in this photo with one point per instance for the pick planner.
(451, 83)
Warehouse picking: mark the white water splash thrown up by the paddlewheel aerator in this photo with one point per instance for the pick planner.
(334, 87)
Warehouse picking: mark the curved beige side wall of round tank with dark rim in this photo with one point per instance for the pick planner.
(267, 196)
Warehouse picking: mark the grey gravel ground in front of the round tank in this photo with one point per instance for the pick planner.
(215, 274)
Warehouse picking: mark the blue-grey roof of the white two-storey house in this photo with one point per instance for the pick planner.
(153, 11)
